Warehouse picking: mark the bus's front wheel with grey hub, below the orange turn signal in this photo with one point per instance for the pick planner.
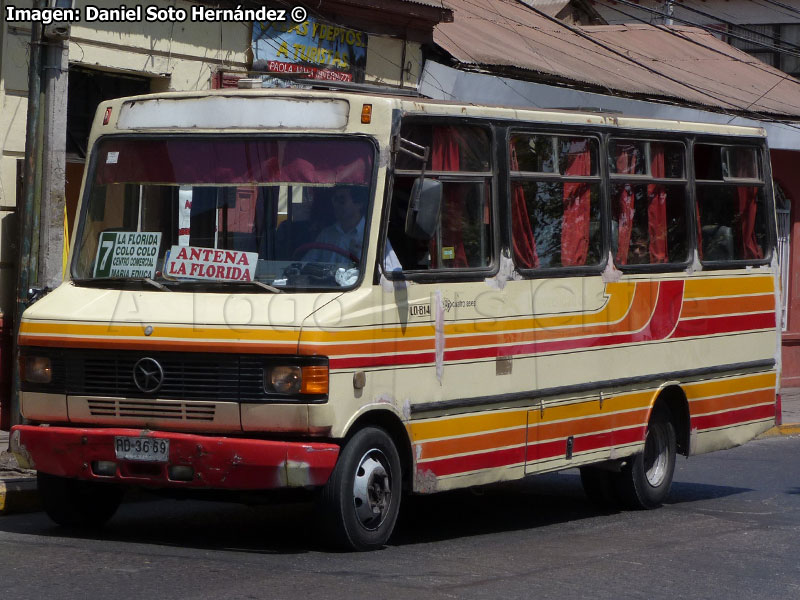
(360, 502)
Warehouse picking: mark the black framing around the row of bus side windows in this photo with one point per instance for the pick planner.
(502, 130)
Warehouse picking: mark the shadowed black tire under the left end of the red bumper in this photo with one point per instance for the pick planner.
(78, 504)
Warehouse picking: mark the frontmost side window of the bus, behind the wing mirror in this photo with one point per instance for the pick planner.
(460, 156)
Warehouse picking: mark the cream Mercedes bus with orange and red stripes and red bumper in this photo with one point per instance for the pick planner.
(364, 295)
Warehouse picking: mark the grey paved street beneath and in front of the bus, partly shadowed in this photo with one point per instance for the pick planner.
(730, 530)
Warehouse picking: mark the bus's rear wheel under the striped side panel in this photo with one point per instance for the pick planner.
(645, 480)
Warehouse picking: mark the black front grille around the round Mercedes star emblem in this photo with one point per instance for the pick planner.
(187, 376)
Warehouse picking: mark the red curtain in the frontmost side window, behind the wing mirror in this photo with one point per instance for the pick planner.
(445, 157)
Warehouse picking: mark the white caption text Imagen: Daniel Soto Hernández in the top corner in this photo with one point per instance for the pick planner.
(141, 13)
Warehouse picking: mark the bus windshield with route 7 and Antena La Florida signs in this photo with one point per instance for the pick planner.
(286, 212)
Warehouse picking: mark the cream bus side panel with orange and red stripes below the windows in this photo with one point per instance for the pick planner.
(462, 387)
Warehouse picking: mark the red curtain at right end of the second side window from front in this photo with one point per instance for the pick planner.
(577, 207)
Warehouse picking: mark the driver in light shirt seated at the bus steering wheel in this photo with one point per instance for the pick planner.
(343, 239)
